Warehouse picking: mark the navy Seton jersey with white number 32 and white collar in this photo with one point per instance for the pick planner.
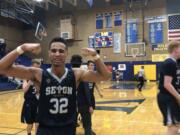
(57, 102)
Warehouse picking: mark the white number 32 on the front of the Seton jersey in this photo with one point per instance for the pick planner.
(60, 106)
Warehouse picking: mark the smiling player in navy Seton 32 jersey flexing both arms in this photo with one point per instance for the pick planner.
(57, 102)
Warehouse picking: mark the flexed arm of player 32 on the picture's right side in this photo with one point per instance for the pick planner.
(93, 76)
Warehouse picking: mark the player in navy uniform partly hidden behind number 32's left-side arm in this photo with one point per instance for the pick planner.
(29, 110)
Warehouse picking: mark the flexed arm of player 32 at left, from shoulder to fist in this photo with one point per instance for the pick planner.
(29, 73)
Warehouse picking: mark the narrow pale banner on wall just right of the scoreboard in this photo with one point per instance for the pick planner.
(117, 43)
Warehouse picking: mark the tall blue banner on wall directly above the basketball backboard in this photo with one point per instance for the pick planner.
(132, 31)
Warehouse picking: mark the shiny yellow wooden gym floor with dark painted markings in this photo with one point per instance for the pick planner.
(122, 111)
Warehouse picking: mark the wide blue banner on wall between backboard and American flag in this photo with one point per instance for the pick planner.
(156, 33)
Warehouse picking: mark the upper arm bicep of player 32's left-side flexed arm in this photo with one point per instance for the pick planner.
(21, 72)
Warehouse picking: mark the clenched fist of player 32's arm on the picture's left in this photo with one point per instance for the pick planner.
(31, 47)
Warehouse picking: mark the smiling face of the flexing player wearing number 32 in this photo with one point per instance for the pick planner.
(57, 53)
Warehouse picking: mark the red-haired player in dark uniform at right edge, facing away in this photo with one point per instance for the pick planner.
(169, 97)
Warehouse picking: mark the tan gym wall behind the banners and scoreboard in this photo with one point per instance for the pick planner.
(85, 26)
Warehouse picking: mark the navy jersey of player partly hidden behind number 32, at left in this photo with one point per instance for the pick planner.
(30, 94)
